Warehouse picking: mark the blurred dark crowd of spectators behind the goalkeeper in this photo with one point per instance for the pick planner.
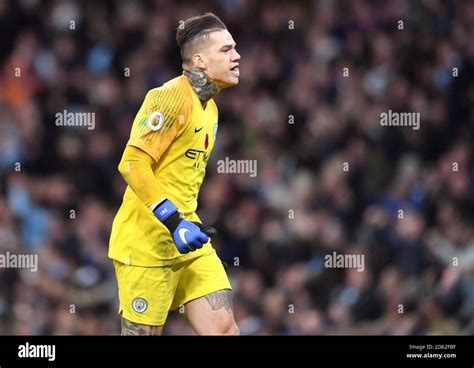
(315, 76)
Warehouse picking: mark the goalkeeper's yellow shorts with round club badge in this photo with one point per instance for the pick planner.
(147, 294)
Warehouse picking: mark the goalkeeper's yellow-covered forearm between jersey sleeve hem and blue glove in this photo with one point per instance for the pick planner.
(135, 168)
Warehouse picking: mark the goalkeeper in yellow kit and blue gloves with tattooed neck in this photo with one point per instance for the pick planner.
(162, 254)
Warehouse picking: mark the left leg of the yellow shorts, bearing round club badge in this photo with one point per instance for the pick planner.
(146, 293)
